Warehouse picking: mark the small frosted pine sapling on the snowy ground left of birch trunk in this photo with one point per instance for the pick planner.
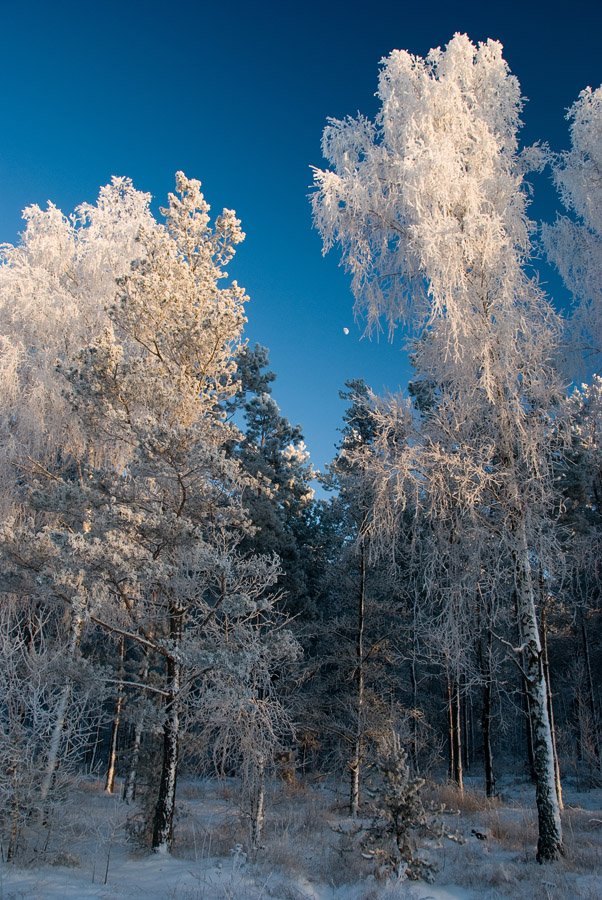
(401, 819)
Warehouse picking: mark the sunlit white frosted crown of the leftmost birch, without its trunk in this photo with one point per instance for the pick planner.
(54, 288)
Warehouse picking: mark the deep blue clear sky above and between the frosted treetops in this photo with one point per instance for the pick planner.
(237, 94)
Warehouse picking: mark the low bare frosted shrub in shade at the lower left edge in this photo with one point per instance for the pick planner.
(35, 669)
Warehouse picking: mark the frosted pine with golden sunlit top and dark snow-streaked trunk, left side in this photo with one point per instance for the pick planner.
(142, 538)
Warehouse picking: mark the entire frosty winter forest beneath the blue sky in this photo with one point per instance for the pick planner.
(185, 618)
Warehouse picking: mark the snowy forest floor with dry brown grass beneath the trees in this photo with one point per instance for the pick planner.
(309, 852)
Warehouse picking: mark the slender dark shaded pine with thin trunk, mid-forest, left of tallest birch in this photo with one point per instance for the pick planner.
(357, 617)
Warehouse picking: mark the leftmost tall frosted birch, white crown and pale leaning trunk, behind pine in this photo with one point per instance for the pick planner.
(54, 287)
